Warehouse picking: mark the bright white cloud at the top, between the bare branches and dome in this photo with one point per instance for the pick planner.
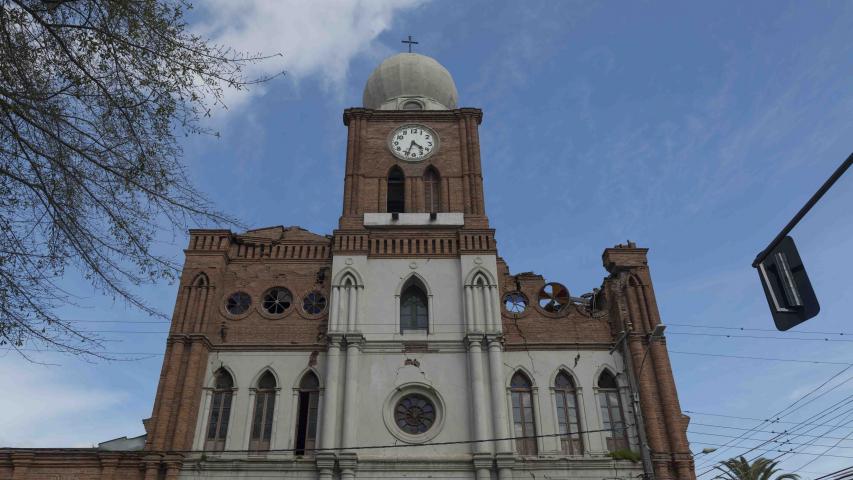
(317, 38)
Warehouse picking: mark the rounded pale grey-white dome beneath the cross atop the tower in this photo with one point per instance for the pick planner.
(407, 80)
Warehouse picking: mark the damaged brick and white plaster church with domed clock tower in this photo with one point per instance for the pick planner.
(401, 345)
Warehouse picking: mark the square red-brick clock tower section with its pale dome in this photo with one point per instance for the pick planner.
(390, 169)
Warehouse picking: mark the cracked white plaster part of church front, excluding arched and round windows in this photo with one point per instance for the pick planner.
(463, 366)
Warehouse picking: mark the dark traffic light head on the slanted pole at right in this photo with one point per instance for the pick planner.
(786, 285)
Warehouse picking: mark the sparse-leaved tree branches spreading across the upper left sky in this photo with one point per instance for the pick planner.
(92, 93)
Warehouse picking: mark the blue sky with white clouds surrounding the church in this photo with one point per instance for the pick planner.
(695, 129)
